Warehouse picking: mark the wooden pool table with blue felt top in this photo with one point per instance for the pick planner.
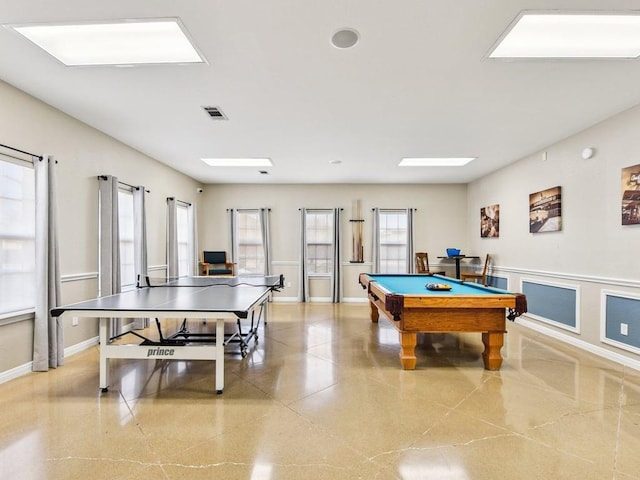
(466, 307)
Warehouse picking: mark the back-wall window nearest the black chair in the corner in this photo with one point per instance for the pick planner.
(250, 248)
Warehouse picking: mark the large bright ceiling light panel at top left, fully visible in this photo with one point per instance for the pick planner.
(114, 43)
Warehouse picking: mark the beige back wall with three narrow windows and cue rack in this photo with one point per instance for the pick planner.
(440, 221)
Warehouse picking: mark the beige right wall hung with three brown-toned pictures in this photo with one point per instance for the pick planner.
(593, 251)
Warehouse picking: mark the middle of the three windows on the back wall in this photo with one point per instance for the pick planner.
(319, 232)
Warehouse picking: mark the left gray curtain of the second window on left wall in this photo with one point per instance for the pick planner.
(109, 267)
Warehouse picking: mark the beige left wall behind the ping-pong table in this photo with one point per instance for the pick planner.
(83, 153)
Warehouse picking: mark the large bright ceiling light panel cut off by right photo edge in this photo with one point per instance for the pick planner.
(565, 35)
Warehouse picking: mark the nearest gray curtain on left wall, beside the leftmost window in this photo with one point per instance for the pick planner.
(48, 343)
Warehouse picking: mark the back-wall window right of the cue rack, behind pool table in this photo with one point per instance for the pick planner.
(393, 241)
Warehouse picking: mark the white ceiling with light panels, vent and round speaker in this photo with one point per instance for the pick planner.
(418, 83)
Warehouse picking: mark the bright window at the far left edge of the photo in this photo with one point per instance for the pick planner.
(17, 237)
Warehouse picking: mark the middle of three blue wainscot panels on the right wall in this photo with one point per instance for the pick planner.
(551, 302)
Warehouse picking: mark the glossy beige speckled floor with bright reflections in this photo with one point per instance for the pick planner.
(322, 396)
